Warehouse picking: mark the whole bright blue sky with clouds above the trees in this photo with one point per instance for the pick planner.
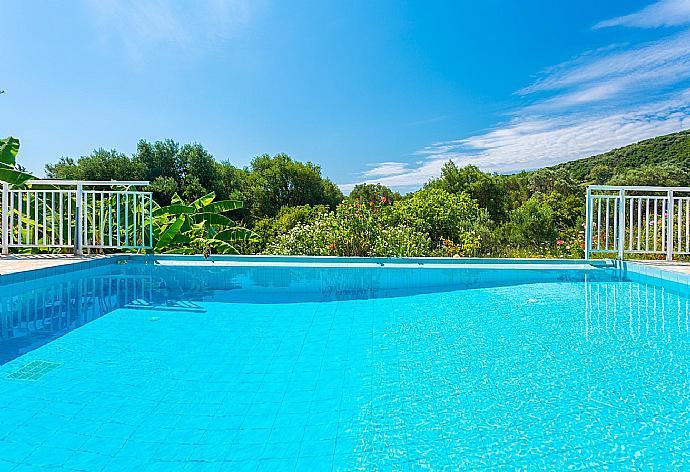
(379, 91)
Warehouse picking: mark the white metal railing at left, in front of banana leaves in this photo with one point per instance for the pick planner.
(77, 214)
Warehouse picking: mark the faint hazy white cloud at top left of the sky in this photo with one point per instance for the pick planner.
(141, 26)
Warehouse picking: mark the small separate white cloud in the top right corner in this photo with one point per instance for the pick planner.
(661, 13)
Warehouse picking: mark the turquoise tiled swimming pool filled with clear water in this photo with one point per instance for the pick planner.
(297, 364)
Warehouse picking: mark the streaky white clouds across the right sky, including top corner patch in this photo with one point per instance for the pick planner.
(603, 99)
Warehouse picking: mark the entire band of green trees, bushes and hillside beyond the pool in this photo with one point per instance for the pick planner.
(291, 208)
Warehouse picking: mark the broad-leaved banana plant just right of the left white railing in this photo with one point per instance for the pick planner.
(198, 227)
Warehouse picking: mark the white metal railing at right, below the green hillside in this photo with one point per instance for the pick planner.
(637, 220)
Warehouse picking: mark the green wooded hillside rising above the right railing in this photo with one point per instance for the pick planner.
(672, 149)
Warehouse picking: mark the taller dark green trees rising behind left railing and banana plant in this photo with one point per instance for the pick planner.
(266, 186)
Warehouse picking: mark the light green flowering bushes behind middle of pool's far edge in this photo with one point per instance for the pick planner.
(434, 222)
